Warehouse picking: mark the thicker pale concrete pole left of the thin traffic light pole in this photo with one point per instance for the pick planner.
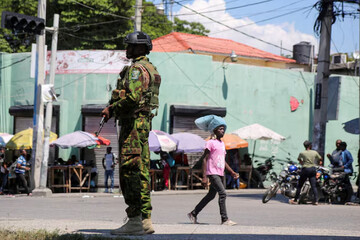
(37, 150)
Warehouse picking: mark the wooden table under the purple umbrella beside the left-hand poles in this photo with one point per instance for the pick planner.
(67, 173)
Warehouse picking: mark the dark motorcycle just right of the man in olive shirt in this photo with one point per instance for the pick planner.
(330, 184)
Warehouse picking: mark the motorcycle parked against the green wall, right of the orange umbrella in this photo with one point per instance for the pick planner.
(262, 173)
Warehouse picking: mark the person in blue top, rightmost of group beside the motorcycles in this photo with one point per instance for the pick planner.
(347, 161)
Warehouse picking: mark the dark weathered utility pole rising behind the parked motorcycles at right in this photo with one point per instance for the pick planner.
(321, 82)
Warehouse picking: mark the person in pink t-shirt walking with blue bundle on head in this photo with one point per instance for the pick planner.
(213, 167)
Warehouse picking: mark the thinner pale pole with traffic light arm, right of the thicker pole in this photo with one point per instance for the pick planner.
(49, 106)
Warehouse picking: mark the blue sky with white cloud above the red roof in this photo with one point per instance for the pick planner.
(294, 26)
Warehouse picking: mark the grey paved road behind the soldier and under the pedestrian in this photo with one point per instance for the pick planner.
(97, 213)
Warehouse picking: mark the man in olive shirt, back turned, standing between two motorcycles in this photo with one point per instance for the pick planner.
(308, 159)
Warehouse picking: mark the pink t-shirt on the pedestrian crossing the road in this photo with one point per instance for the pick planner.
(216, 159)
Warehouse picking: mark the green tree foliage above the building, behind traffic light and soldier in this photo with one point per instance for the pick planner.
(95, 24)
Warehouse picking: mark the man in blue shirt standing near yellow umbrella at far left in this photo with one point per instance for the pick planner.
(20, 169)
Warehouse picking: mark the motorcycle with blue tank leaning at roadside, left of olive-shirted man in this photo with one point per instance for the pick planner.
(286, 182)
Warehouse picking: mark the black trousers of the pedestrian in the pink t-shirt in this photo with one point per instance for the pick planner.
(216, 186)
